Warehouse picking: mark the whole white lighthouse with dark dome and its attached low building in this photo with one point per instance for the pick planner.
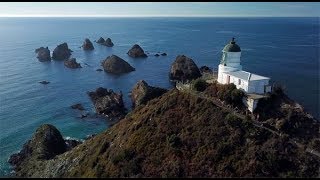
(230, 71)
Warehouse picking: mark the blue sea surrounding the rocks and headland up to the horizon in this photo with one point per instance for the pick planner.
(285, 49)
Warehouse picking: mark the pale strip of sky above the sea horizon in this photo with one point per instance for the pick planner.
(154, 9)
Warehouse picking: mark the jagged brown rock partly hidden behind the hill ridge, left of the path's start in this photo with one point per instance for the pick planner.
(142, 93)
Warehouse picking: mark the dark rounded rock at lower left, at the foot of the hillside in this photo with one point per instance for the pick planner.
(46, 143)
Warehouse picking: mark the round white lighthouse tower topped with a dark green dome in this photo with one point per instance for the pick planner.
(230, 61)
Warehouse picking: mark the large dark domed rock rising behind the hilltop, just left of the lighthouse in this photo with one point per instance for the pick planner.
(184, 69)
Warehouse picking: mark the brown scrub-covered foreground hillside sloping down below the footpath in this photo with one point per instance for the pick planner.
(179, 135)
